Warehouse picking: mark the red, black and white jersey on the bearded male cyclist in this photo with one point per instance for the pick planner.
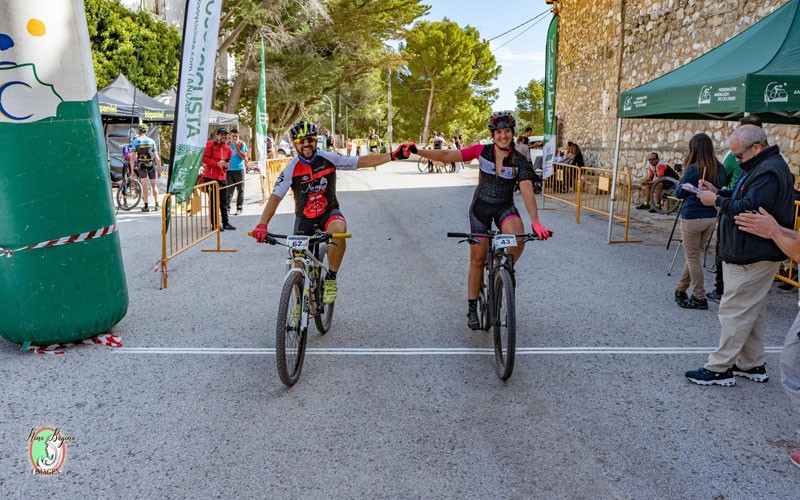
(313, 182)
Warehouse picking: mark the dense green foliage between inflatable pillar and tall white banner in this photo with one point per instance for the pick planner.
(118, 36)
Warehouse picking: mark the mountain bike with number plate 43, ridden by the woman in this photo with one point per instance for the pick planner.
(496, 302)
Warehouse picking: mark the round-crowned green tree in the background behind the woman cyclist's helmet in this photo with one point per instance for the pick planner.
(446, 83)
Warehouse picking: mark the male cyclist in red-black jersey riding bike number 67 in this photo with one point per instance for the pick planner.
(312, 177)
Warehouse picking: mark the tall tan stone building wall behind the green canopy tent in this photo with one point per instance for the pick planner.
(609, 46)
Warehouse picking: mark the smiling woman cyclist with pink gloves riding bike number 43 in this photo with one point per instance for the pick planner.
(501, 166)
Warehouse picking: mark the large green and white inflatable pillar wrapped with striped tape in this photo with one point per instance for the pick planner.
(61, 273)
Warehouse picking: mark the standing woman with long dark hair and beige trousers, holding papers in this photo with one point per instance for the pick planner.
(697, 220)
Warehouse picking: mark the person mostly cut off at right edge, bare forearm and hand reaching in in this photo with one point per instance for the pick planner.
(764, 225)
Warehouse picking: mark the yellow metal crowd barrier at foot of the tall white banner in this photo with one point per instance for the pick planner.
(190, 223)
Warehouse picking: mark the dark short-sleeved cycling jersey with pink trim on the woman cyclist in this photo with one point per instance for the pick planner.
(497, 189)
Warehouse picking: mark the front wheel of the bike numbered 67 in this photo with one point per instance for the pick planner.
(290, 339)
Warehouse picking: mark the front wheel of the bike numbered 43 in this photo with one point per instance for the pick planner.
(505, 324)
